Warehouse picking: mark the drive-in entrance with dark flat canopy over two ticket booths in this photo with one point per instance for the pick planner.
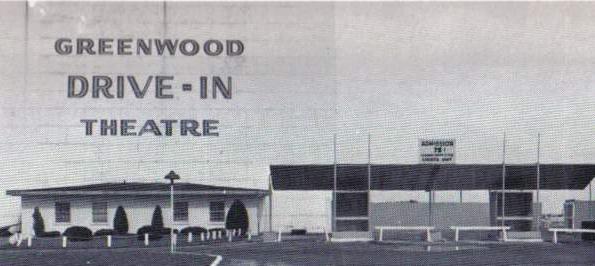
(356, 217)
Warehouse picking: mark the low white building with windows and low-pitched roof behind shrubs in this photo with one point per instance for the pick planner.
(94, 206)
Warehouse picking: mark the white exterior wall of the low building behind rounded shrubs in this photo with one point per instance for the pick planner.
(139, 211)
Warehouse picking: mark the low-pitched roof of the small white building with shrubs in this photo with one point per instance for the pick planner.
(135, 188)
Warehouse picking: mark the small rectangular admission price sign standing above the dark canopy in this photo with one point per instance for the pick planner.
(437, 151)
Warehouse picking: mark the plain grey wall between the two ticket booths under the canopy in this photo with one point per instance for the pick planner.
(444, 214)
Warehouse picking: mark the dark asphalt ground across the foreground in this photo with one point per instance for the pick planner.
(310, 252)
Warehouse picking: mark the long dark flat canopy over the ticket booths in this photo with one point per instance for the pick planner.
(431, 176)
